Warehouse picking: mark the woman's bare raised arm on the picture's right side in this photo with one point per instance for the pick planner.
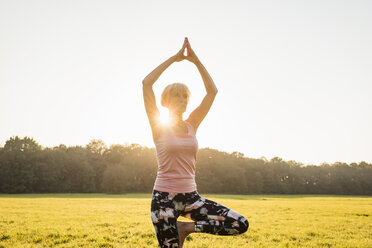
(202, 110)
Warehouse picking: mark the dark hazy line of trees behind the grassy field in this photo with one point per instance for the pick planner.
(27, 167)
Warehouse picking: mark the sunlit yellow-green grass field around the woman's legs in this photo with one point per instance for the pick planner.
(99, 220)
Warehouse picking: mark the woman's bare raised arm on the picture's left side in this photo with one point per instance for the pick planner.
(148, 93)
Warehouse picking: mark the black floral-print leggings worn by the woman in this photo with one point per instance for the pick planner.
(209, 216)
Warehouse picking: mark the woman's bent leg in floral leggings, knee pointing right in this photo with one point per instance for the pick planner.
(214, 218)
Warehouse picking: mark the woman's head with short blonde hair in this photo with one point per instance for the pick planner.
(175, 97)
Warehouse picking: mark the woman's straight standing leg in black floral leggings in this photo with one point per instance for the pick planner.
(164, 218)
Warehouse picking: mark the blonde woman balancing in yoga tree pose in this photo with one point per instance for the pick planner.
(175, 192)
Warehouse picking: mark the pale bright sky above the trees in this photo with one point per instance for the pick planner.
(294, 77)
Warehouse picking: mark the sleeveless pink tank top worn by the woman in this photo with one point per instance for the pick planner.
(176, 155)
